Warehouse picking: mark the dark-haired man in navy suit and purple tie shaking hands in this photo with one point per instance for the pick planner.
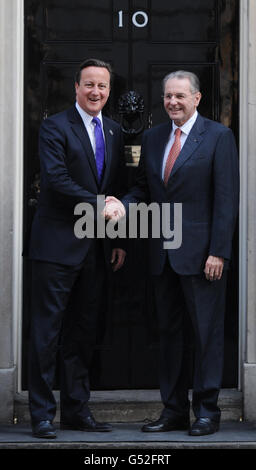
(80, 158)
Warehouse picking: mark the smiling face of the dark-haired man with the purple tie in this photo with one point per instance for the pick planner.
(93, 90)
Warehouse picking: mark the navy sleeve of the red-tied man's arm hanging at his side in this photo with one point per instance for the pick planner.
(226, 195)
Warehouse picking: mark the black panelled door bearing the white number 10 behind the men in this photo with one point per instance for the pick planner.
(144, 40)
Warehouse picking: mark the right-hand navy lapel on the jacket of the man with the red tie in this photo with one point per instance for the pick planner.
(193, 140)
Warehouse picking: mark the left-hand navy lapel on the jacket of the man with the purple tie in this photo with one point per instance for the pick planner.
(79, 129)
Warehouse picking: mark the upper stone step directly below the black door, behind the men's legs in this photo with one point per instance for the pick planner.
(131, 406)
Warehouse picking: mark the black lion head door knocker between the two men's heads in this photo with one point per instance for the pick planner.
(131, 108)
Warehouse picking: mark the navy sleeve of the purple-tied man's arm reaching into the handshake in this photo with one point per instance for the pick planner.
(54, 171)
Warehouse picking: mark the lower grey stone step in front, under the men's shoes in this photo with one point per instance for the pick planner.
(232, 435)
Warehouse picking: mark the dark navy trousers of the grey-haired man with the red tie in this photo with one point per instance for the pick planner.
(204, 301)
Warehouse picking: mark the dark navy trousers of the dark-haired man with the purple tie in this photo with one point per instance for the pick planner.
(64, 311)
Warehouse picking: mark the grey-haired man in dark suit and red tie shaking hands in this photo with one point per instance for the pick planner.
(193, 161)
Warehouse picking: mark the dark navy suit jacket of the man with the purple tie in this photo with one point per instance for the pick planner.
(68, 177)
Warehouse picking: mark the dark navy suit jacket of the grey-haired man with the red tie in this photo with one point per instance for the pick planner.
(205, 179)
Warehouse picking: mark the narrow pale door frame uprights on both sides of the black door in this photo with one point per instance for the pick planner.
(17, 281)
